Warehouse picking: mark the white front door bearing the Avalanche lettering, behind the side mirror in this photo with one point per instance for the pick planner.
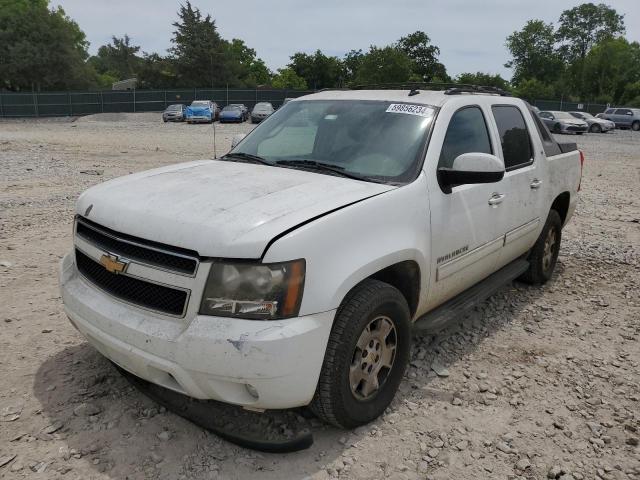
(464, 238)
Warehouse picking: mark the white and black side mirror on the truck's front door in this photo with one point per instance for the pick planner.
(471, 168)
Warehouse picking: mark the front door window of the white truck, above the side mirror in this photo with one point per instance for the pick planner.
(467, 133)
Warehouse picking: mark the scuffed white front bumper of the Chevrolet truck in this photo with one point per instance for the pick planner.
(203, 357)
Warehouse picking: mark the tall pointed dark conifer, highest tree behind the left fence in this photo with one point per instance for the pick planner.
(200, 55)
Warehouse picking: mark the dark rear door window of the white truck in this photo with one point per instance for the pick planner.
(516, 144)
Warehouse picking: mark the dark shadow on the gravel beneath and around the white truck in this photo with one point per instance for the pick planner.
(105, 424)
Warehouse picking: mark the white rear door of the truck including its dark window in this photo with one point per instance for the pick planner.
(520, 221)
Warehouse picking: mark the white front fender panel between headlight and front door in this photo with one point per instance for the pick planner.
(350, 244)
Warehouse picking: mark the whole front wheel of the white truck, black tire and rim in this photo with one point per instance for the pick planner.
(367, 354)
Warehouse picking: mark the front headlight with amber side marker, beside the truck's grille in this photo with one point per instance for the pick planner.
(254, 291)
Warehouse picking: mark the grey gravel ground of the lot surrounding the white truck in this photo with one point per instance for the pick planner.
(538, 382)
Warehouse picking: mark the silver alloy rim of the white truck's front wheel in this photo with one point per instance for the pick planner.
(373, 358)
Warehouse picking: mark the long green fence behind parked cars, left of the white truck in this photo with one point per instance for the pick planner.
(51, 104)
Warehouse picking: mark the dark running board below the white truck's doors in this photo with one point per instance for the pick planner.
(441, 316)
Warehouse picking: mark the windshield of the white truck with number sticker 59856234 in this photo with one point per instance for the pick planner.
(377, 140)
